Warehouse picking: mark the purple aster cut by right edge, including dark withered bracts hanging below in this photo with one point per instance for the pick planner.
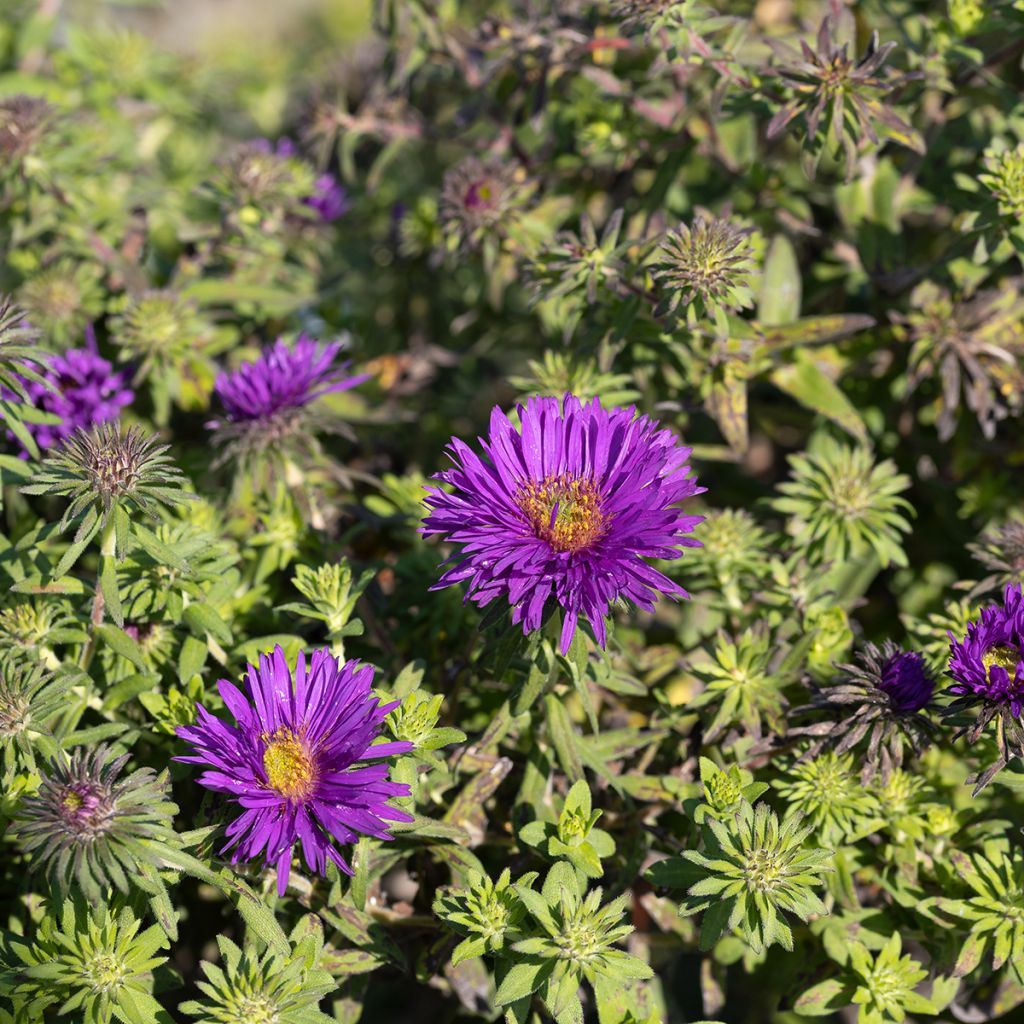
(988, 671)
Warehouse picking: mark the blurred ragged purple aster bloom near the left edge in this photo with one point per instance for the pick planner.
(84, 391)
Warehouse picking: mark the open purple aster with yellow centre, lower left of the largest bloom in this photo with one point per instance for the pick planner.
(298, 761)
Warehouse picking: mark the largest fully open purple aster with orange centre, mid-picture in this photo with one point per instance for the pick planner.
(566, 510)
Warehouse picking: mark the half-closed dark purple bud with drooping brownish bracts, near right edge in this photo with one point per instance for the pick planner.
(881, 698)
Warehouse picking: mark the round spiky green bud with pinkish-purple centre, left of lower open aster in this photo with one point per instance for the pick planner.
(91, 826)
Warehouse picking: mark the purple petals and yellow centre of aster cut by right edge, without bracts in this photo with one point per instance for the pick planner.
(989, 663)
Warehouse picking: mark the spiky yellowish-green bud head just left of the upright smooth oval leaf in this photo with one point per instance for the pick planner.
(706, 268)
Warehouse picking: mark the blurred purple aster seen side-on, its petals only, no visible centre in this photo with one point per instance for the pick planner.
(284, 380)
